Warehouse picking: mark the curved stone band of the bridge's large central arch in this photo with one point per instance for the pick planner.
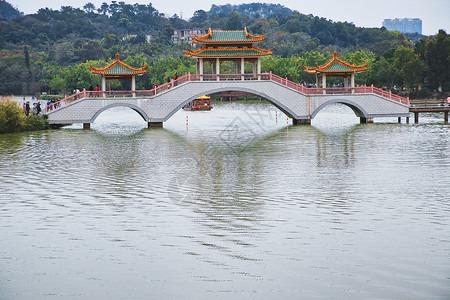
(272, 100)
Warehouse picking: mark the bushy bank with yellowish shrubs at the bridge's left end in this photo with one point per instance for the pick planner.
(12, 118)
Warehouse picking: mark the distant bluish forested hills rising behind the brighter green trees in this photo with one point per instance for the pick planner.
(289, 31)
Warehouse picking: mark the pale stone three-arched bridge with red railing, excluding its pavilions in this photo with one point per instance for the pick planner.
(297, 101)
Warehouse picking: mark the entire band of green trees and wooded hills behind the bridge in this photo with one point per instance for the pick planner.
(51, 51)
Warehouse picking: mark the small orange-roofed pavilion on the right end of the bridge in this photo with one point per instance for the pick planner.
(335, 68)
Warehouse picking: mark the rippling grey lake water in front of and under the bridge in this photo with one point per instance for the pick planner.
(234, 205)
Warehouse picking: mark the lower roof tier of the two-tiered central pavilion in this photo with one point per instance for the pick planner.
(228, 52)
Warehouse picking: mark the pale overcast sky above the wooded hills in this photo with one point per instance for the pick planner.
(435, 14)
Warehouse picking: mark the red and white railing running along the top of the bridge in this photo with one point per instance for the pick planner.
(229, 77)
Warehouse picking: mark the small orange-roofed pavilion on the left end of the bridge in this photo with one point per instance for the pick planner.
(119, 70)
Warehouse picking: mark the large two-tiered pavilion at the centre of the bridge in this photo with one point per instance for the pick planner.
(219, 46)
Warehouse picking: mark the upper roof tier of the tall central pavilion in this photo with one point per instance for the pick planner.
(227, 37)
